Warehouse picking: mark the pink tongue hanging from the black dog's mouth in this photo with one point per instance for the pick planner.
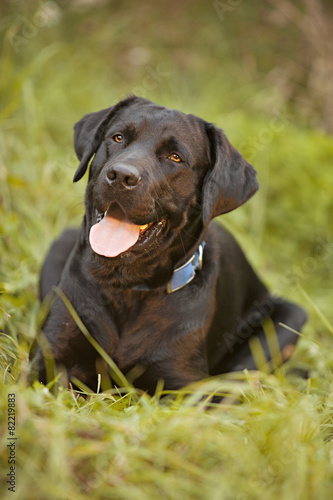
(111, 236)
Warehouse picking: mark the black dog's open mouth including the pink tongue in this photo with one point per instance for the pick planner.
(113, 233)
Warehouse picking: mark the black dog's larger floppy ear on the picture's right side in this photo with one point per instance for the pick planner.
(230, 181)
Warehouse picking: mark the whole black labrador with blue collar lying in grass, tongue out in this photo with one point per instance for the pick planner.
(158, 286)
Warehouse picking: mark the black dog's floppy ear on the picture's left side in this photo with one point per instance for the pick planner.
(88, 134)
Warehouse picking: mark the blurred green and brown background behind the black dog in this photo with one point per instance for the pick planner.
(261, 71)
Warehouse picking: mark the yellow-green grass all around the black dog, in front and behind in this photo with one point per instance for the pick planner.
(277, 443)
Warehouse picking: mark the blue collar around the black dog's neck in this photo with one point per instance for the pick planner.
(182, 275)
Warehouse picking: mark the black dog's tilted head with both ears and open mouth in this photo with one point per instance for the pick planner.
(155, 172)
